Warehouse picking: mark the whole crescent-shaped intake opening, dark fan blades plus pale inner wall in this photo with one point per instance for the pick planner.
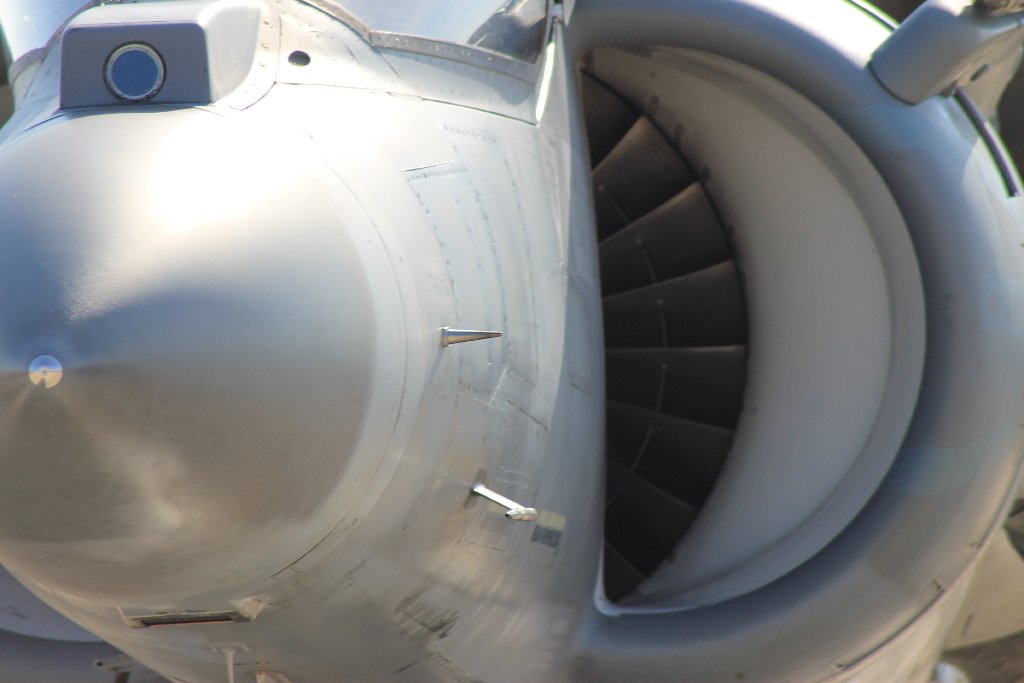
(798, 335)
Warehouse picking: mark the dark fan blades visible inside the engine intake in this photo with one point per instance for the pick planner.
(675, 332)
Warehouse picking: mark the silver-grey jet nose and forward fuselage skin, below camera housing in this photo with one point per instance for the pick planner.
(255, 404)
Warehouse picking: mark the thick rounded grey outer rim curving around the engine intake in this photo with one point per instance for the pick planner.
(923, 529)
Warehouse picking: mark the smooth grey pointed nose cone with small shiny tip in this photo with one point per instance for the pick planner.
(187, 344)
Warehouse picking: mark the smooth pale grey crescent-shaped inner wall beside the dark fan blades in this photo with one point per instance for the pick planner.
(836, 317)
